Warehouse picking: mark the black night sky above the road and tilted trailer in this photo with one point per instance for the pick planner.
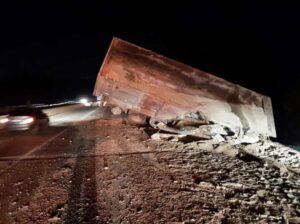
(51, 51)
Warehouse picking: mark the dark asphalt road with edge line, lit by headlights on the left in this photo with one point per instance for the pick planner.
(24, 155)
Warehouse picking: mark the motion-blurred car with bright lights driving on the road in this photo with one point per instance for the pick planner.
(23, 119)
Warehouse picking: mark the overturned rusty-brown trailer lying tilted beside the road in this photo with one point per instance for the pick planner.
(140, 80)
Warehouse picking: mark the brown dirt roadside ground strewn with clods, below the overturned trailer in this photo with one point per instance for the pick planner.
(115, 173)
